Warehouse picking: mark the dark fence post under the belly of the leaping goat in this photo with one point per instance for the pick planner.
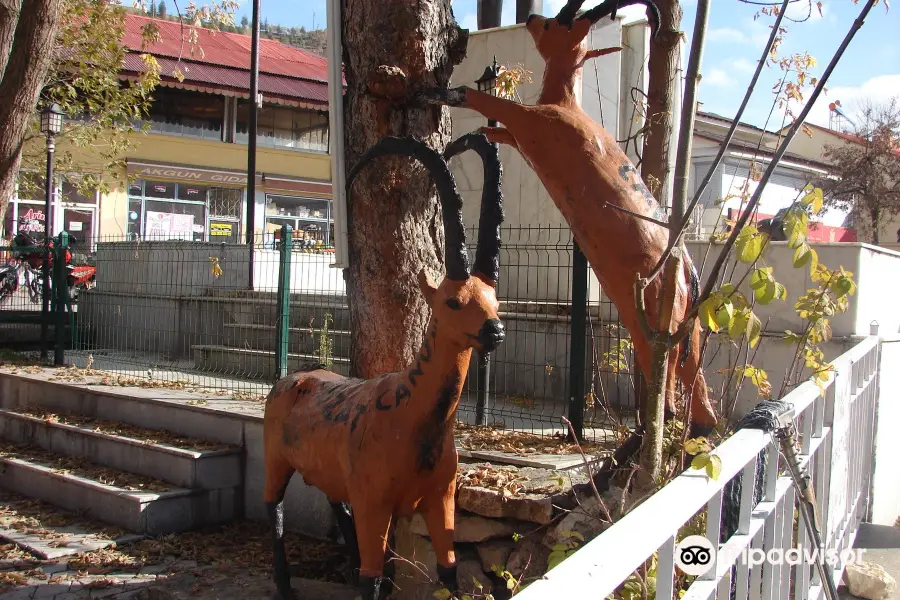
(578, 344)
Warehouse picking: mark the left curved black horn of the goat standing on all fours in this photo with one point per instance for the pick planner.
(455, 256)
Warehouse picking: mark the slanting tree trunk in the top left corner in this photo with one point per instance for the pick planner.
(23, 78)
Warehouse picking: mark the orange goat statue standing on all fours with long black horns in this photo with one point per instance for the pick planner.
(385, 445)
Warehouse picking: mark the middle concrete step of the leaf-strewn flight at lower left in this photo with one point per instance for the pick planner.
(192, 464)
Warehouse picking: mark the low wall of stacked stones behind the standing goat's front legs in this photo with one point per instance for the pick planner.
(498, 534)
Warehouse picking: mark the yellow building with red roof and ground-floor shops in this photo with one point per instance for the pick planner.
(187, 177)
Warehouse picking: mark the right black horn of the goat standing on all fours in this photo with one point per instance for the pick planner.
(487, 254)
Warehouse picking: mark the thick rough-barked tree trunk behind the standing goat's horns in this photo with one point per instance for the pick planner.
(394, 218)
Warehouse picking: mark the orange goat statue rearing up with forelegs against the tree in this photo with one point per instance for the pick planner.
(596, 188)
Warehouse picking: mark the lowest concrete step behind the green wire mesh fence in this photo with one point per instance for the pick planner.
(254, 364)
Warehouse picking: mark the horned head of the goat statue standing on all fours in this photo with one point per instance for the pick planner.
(465, 302)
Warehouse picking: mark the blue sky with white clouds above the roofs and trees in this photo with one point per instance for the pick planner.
(870, 67)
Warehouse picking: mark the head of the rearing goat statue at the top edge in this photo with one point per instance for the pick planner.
(560, 38)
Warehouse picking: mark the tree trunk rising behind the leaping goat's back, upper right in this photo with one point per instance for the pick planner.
(663, 77)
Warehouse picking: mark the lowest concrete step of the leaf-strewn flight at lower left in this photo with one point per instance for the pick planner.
(170, 510)
